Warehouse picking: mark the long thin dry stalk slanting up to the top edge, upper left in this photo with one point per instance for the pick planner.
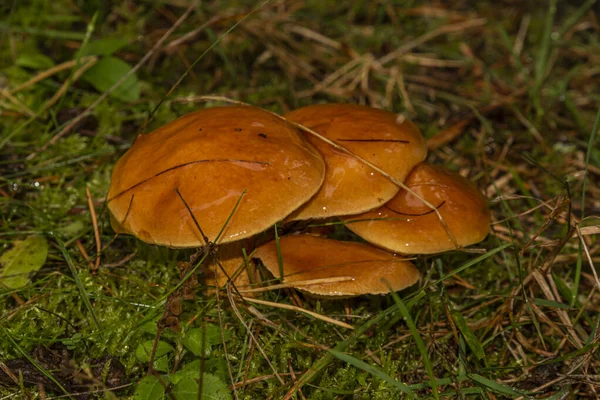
(104, 95)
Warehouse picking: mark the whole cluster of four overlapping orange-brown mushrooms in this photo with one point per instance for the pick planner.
(222, 175)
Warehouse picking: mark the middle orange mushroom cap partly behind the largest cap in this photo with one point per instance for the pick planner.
(350, 186)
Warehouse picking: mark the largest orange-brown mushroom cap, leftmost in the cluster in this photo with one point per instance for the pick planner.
(212, 156)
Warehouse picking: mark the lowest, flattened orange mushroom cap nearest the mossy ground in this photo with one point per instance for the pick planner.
(308, 257)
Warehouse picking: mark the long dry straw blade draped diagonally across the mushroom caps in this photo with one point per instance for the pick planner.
(350, 153)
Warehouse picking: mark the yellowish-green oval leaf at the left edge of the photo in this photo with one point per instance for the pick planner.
(26, 256)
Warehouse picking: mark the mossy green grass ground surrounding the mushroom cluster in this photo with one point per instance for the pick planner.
(520, 319)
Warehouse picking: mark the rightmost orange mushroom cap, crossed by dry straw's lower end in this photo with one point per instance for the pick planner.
(406, 225)
